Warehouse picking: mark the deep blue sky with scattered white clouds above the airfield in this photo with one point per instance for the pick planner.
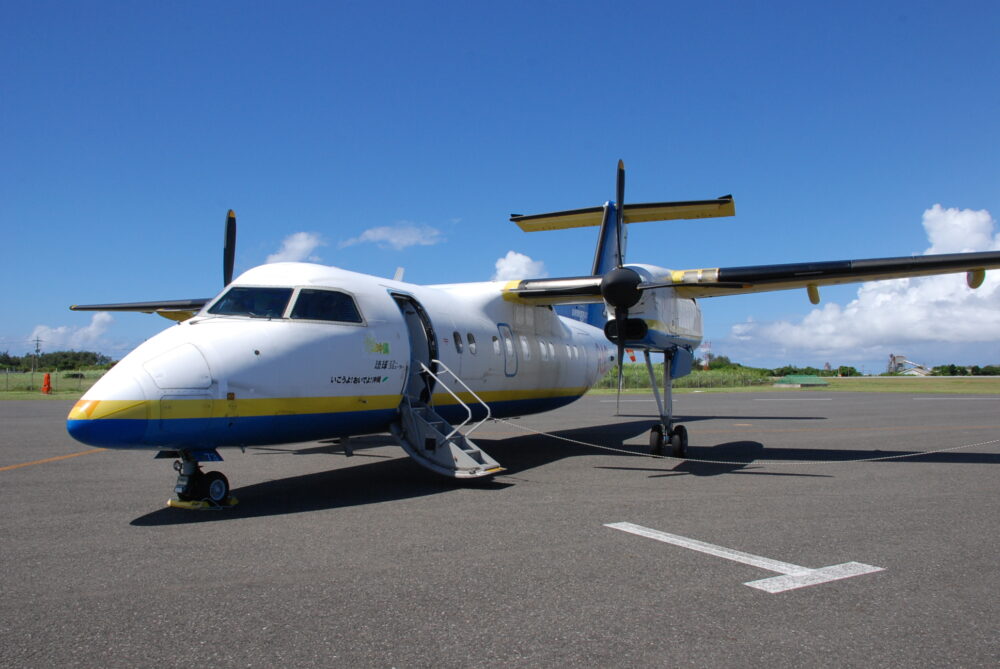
(128, 130)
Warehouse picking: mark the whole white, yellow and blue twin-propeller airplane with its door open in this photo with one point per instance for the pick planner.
(292, 352)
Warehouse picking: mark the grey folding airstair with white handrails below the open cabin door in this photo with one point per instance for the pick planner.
(437, 445)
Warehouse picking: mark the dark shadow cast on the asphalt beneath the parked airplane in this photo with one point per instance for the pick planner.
(390, 478)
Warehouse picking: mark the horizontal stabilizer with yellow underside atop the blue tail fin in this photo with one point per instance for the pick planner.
(633, 213)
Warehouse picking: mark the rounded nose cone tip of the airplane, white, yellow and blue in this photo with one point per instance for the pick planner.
(113, 414)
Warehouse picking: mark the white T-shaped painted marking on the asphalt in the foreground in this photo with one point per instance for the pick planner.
(792, 576)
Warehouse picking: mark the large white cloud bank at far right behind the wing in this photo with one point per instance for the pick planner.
(898, 315)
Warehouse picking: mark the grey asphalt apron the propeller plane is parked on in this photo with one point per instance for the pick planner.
(370, 561)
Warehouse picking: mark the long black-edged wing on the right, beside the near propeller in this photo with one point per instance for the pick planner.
(718, 281)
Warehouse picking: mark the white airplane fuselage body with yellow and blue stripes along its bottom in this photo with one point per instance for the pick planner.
(226, 369)
